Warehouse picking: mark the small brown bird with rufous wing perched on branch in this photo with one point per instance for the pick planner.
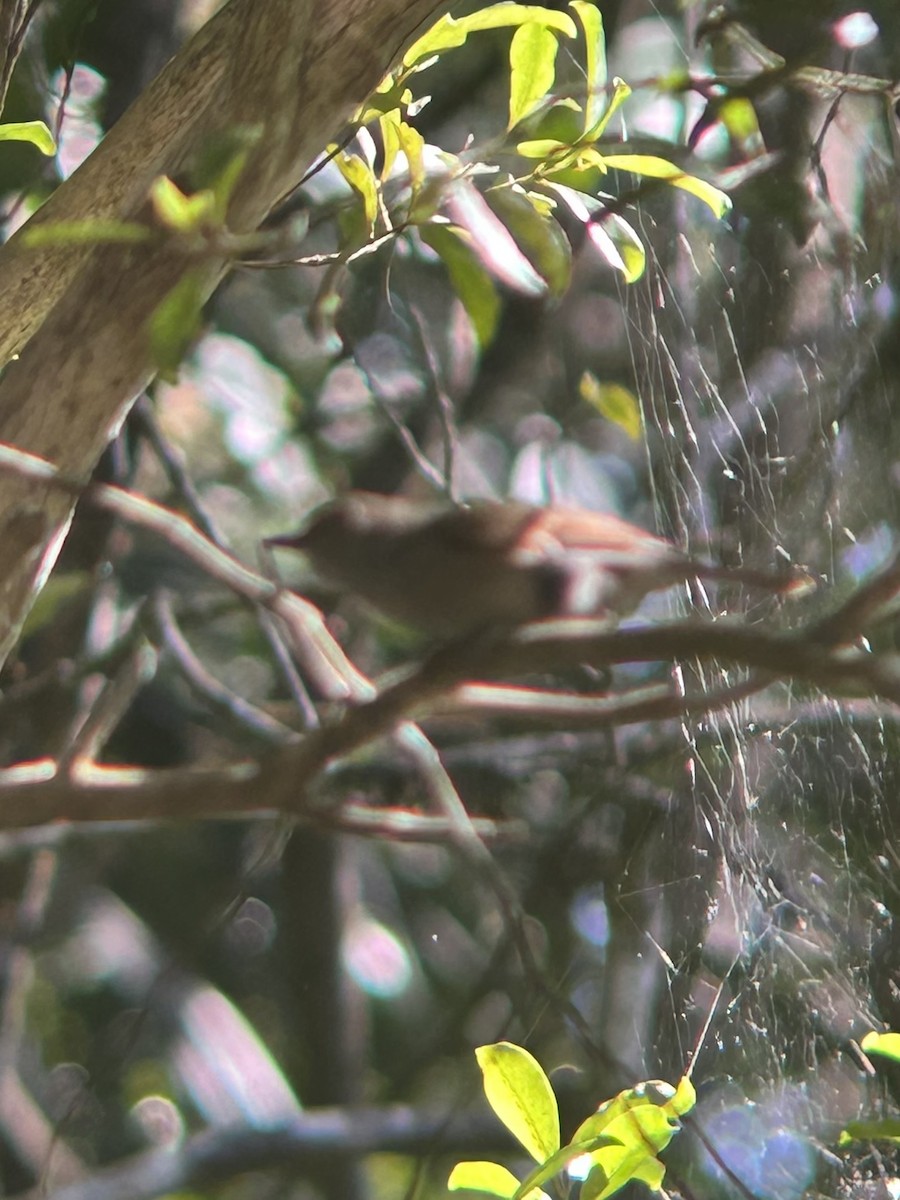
(452, 572)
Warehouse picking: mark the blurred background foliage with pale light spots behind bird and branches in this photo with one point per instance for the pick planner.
(160, 981)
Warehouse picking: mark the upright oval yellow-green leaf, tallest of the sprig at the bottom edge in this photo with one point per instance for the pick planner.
(520, 1094)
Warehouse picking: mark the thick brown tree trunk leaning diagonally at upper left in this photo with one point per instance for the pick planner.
(73, 320)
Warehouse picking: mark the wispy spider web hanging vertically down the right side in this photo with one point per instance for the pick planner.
(765, 404)
